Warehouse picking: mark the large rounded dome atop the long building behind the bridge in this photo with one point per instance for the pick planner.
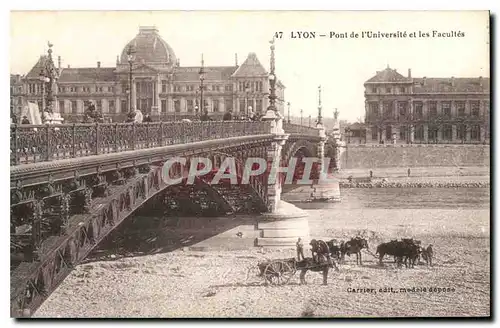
(149, 47)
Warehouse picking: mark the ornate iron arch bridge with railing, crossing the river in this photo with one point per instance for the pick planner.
(71, 185)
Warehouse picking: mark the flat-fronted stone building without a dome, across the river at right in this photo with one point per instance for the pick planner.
(426, 110)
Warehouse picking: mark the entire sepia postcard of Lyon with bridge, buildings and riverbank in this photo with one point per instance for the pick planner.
(250, 164)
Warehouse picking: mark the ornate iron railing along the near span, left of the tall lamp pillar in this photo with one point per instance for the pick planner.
(40, 143)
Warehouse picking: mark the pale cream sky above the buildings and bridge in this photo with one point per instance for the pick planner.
(339, 65)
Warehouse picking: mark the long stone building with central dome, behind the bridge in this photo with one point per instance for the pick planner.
(160, 86)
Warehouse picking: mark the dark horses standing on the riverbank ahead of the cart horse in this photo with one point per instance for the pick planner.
(407, 251)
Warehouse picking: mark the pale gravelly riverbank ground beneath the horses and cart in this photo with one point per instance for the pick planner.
(214, 283)
